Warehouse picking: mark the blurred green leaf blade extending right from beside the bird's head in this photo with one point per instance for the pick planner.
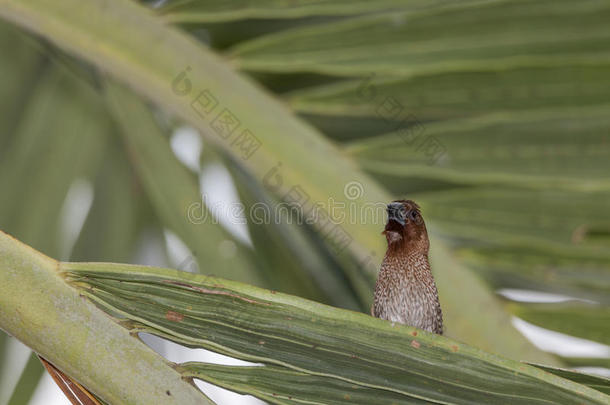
(535, 217)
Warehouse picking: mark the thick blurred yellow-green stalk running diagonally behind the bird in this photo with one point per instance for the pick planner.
(185, 78)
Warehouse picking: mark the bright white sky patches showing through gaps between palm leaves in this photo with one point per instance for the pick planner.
(215, 181)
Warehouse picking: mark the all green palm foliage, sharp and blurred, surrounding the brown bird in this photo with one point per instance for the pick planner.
(493, 115)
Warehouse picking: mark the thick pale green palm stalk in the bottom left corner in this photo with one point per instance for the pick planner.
(50, 317)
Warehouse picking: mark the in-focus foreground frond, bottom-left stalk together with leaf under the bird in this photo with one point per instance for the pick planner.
(286, 332)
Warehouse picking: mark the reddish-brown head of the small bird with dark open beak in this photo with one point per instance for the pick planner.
(405, 227)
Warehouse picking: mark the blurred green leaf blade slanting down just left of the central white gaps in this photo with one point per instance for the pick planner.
(172, 189)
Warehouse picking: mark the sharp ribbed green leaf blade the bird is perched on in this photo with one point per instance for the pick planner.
(257, 325)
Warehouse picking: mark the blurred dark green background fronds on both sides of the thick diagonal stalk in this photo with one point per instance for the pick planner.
(514, 94)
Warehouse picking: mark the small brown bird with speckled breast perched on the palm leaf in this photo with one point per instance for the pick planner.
(405, 290)
